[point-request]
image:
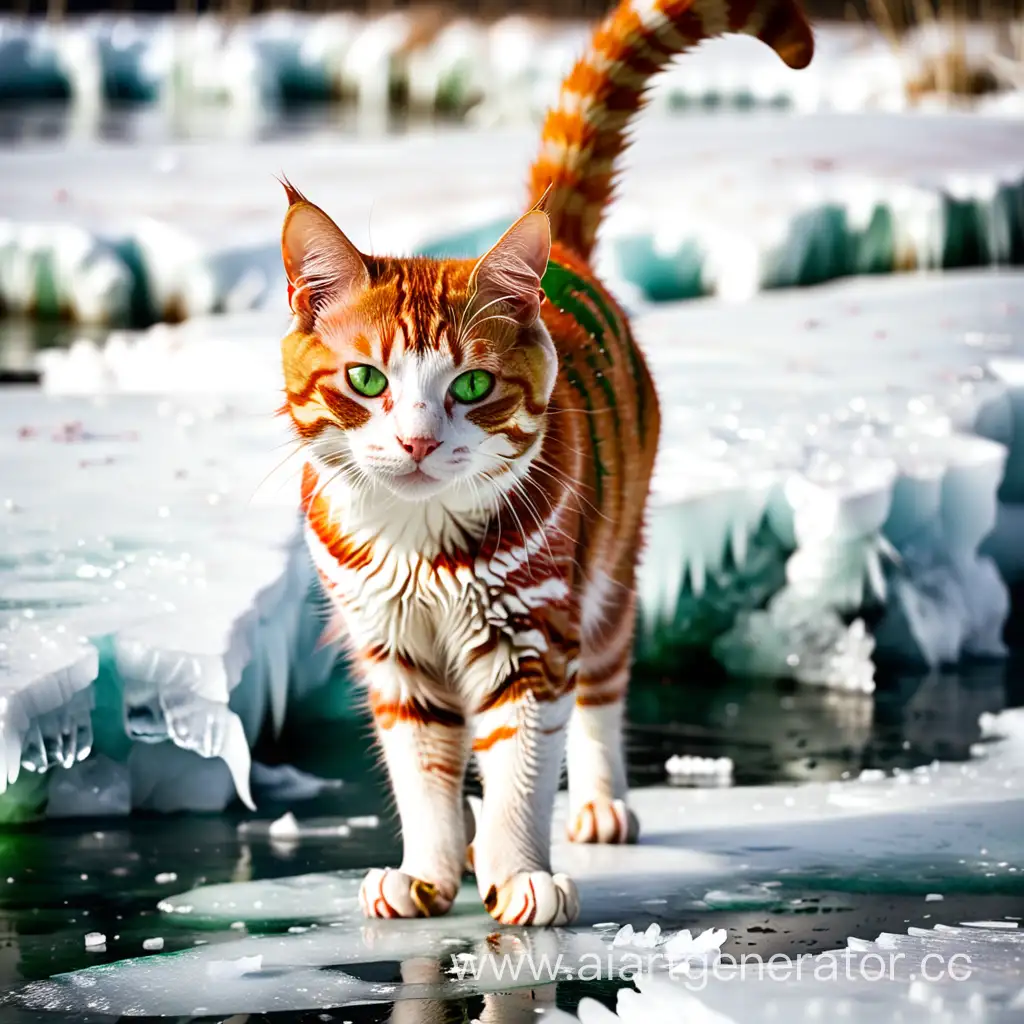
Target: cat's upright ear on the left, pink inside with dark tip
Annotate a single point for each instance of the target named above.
(323, 267)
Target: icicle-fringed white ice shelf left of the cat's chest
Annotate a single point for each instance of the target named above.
(151, 595)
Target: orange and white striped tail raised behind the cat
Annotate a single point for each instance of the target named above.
(586, 133)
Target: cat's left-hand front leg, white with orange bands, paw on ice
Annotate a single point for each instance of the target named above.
(425, 749)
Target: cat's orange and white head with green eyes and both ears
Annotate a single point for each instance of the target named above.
(415, 375)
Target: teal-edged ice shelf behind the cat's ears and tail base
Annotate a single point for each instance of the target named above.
(724, 205)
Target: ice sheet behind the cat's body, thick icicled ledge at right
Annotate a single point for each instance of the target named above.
(825, 452)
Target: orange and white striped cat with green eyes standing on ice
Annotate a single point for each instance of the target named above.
(480, 438)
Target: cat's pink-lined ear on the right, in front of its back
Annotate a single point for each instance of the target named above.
(509, 275)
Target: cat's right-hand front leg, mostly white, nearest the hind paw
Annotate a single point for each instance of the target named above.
(520, 742)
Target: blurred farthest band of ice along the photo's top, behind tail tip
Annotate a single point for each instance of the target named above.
(514, 66)
